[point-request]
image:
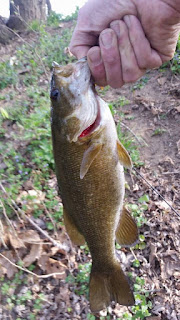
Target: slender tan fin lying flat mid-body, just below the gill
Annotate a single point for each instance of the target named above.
(89, 155)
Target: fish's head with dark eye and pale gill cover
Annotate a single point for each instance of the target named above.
(73, 98)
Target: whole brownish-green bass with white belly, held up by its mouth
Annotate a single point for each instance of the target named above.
(89, 164)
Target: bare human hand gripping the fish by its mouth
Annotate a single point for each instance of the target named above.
(123, 38)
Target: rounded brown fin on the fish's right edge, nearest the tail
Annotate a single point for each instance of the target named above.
(127, 231)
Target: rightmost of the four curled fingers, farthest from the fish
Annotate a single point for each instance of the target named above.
(147, 58)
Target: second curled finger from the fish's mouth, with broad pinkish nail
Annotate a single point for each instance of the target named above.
(111, 58)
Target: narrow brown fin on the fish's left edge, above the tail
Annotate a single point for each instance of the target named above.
(74, 234)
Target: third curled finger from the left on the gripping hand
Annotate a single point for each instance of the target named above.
(130, 69)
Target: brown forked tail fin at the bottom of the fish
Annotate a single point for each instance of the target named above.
(107, 287)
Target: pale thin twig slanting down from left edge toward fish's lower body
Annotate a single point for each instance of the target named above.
(55, 243)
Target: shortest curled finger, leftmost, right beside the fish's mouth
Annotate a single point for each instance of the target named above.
(96, 66)
